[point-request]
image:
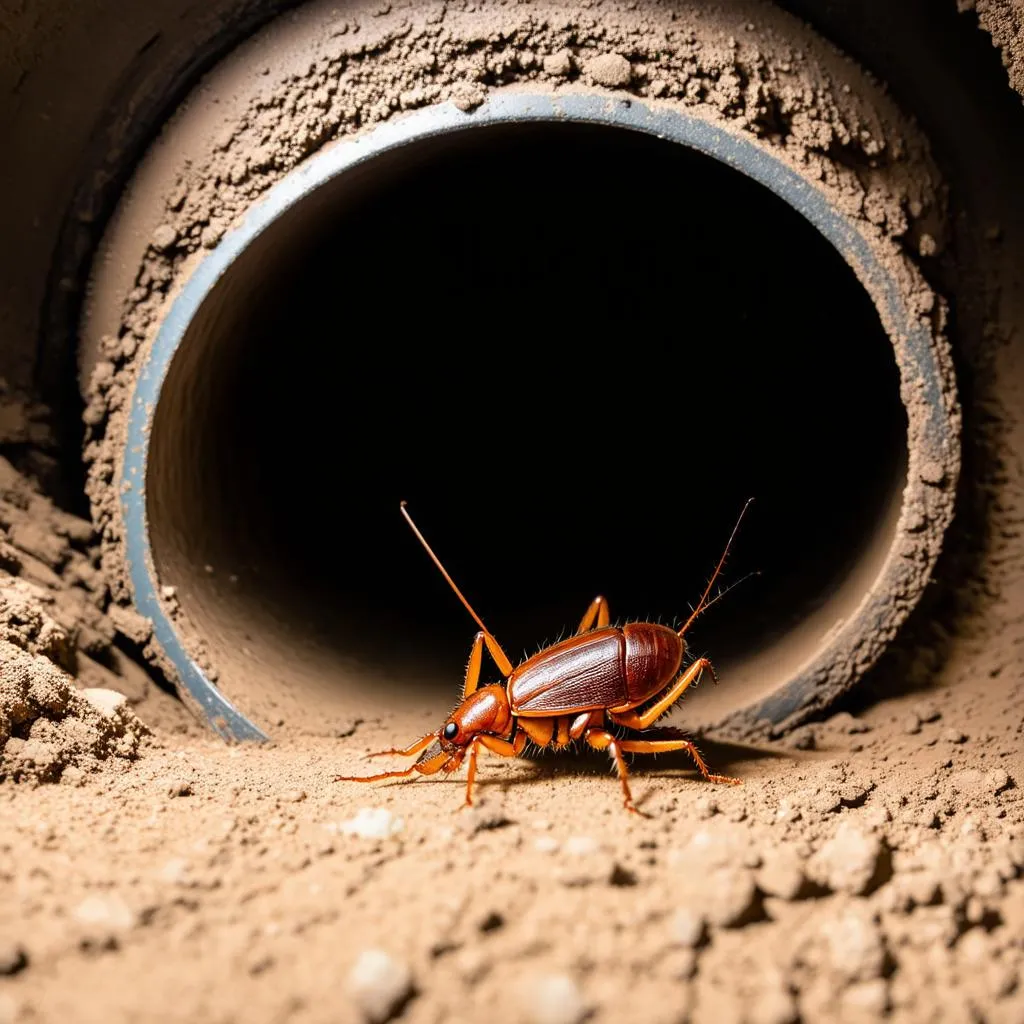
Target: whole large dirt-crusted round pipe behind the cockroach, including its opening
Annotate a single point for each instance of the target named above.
(576, 316)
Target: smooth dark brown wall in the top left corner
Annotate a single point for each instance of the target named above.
(62, 68)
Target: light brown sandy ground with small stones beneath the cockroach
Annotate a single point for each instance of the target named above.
(877, 871)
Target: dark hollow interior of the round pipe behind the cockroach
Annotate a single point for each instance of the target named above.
(576, 351)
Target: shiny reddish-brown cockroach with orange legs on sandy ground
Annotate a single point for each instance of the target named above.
(578, 690)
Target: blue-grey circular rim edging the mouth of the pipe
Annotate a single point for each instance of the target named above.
(935, 442)
